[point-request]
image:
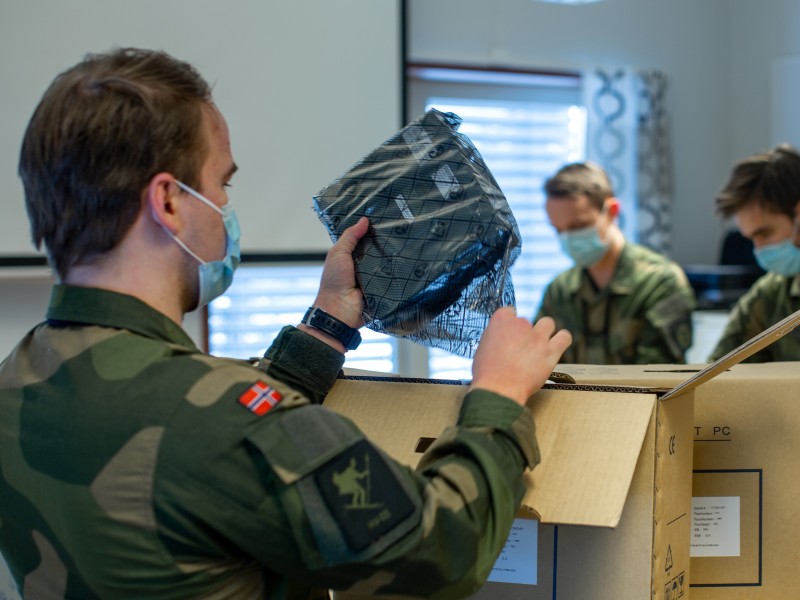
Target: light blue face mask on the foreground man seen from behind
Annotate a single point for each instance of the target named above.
(215, 276)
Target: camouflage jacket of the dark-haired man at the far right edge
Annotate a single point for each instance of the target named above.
(770, 299)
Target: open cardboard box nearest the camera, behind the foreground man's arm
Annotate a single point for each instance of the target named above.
(611, 497)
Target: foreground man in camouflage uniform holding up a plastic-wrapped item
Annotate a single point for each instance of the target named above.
(134, 466)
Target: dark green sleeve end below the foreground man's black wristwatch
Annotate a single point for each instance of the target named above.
(303, 362)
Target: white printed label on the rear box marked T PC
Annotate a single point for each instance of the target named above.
(716, 526)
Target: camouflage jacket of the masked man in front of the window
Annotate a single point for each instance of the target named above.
(642, 316)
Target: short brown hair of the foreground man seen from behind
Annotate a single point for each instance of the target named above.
(101, 131)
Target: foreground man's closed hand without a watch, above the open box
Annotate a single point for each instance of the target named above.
(514, 358)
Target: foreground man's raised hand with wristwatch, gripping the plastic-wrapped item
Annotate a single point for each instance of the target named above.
(338, 294)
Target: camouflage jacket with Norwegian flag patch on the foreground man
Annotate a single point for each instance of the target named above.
(132, 465)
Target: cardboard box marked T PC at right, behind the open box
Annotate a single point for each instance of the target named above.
(746, 444)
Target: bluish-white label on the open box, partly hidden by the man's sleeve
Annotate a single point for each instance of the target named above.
(518, 561)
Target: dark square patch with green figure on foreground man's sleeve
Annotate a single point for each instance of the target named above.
(363, 495)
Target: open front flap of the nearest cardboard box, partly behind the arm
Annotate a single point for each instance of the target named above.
(590, 440)
